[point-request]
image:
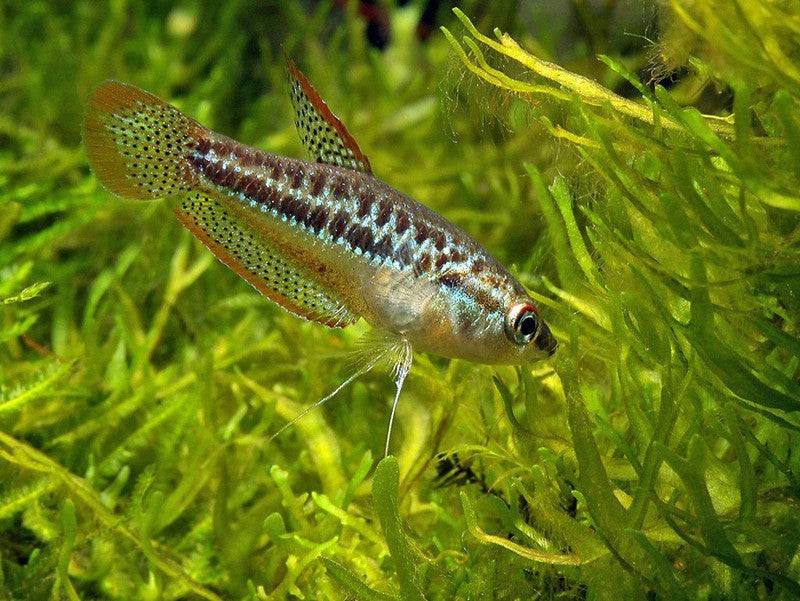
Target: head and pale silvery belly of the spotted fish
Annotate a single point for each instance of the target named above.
(478, 312)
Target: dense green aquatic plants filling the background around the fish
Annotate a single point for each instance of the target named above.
(644, 187)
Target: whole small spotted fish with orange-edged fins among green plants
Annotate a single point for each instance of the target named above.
(324, 239)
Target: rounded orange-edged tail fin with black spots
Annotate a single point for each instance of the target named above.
(138, 145)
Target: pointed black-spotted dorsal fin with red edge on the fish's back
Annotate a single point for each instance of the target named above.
(321, 132)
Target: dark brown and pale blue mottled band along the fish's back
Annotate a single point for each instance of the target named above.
(356, 210)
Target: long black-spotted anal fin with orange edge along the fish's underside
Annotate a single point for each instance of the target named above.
(238, 246)
